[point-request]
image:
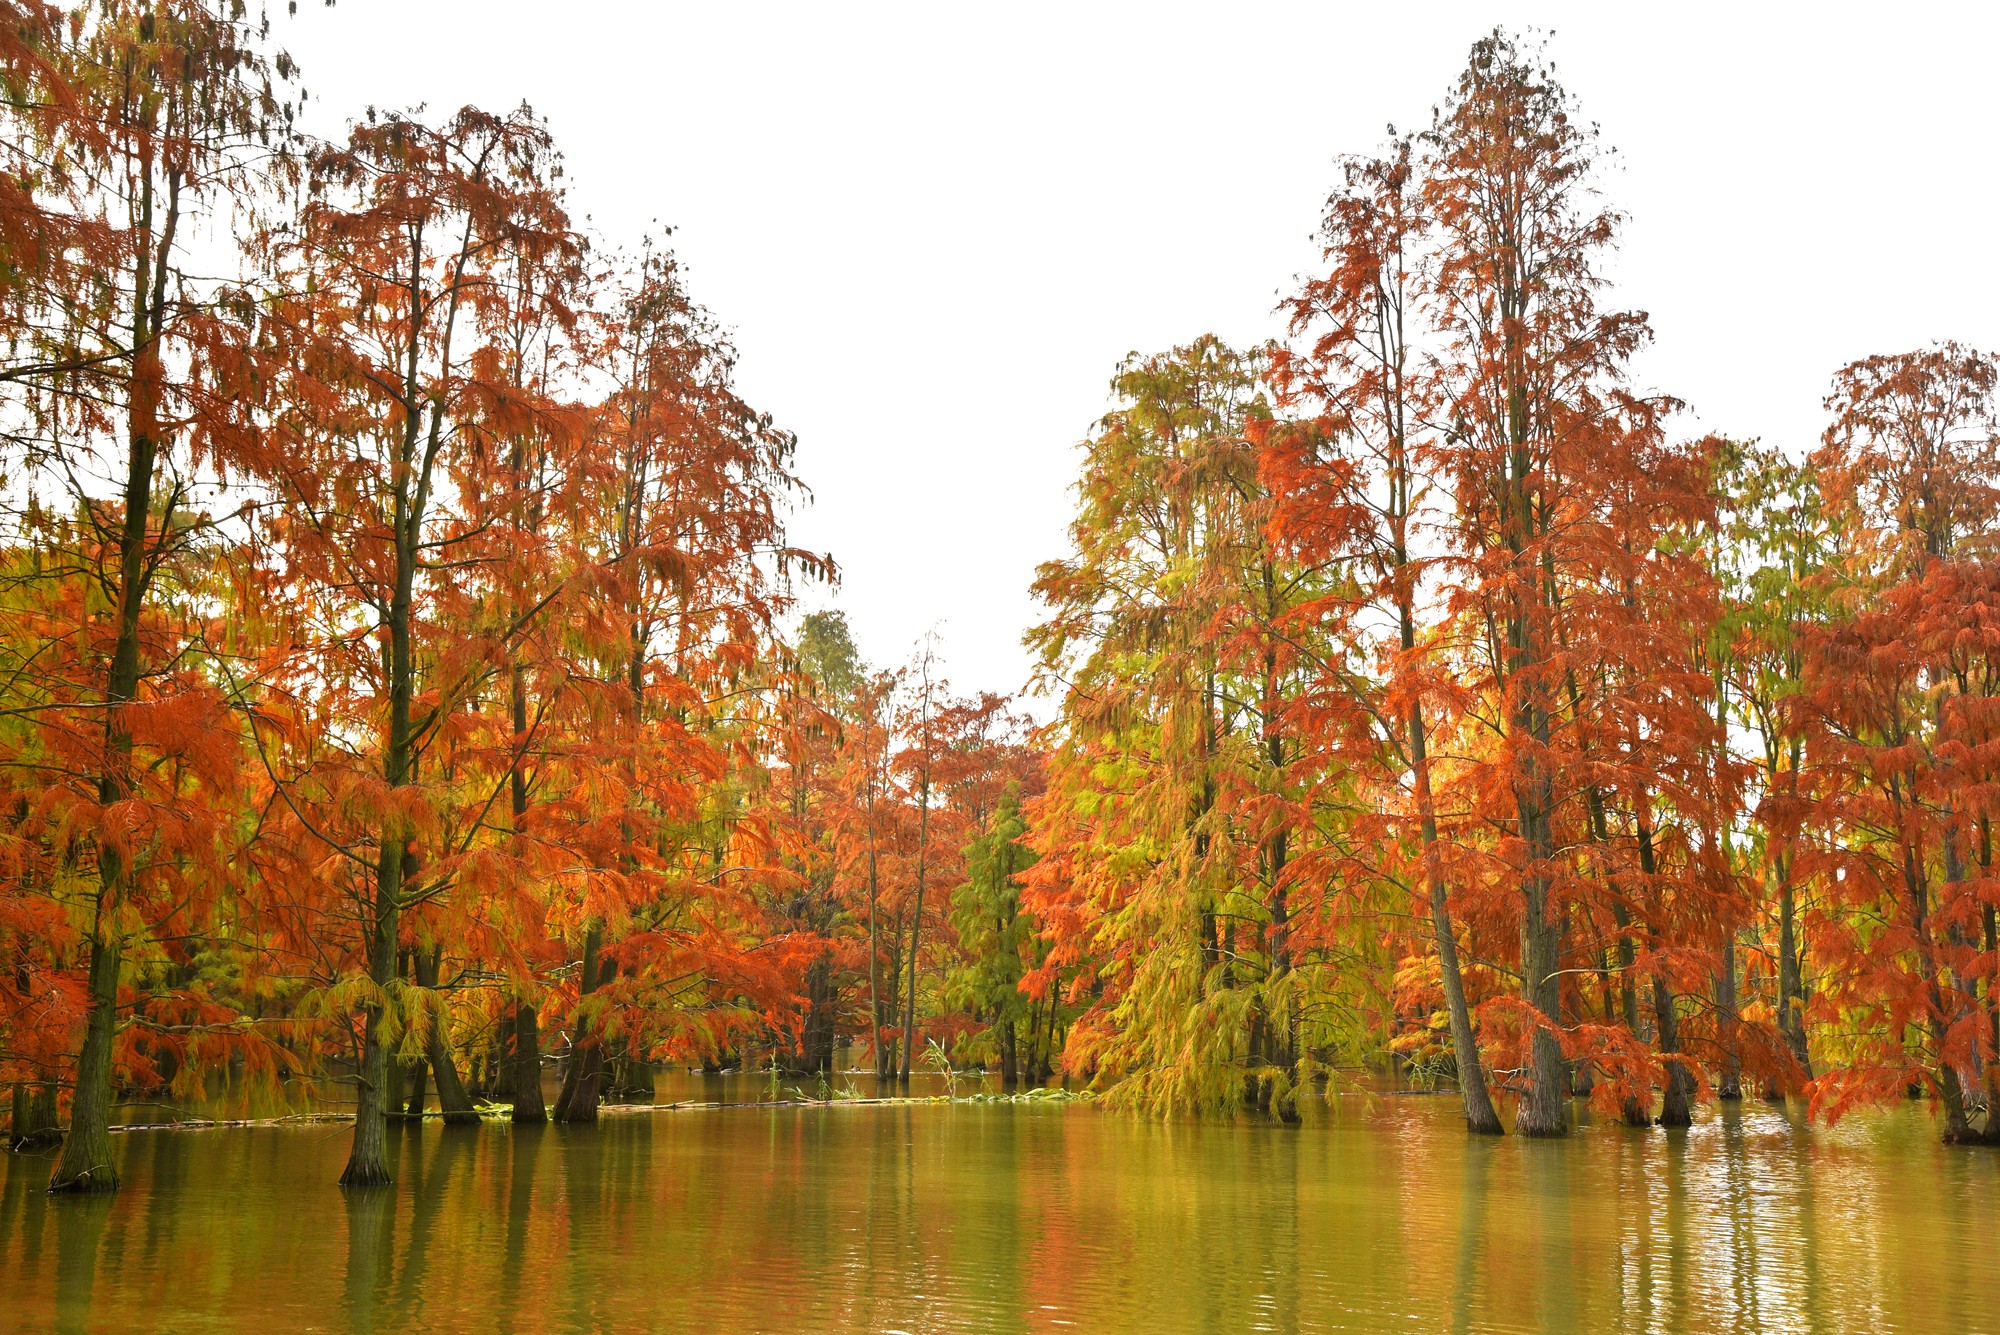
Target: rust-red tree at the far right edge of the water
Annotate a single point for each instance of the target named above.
(1893, 712)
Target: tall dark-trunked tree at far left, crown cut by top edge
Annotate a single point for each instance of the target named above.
(135, 125)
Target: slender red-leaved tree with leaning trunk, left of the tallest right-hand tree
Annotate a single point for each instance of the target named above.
(1355, 491)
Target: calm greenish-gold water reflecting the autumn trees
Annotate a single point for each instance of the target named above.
(1381, 1216)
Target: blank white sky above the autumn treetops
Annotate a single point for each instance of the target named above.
(937, 229)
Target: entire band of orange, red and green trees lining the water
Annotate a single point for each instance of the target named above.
(401, 686)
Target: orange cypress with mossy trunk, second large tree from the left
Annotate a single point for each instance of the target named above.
(391, 329)
